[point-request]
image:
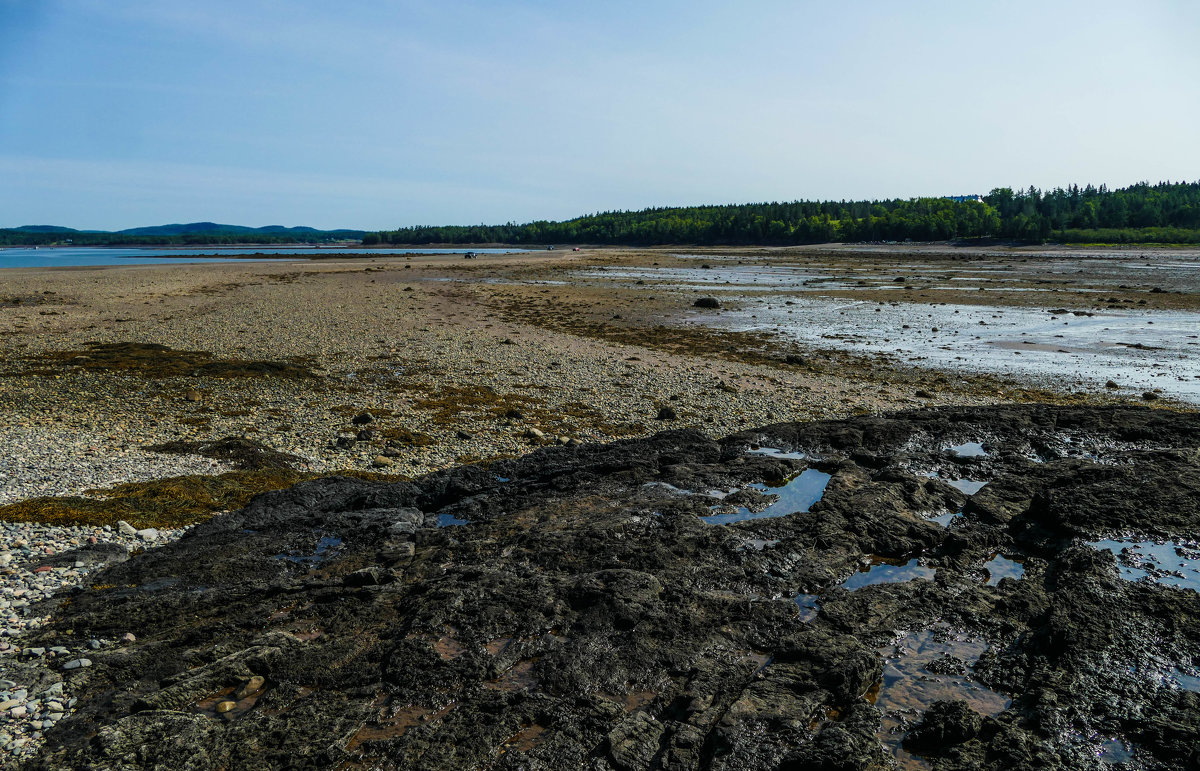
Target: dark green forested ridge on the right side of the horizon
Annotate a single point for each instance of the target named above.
(1162, 213)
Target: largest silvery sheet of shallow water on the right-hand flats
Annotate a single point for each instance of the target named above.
(1139, 350)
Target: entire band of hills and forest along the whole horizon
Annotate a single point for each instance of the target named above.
(1163, 213)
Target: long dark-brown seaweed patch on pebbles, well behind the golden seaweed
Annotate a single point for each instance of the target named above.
(148, 360)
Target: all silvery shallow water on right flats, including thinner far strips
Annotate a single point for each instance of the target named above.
(1138, 349)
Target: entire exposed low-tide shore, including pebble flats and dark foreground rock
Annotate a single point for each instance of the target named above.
(488, 584)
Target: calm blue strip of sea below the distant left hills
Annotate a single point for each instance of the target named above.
(86, 256)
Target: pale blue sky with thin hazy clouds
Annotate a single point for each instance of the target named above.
(385, 113)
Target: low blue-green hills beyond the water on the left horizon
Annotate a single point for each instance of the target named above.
(193, 234)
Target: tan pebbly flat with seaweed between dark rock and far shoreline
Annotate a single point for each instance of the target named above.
(460, 360)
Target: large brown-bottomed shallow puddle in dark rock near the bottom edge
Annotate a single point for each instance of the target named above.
(920, 670)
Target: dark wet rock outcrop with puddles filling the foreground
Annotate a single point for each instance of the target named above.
(800, 596)
